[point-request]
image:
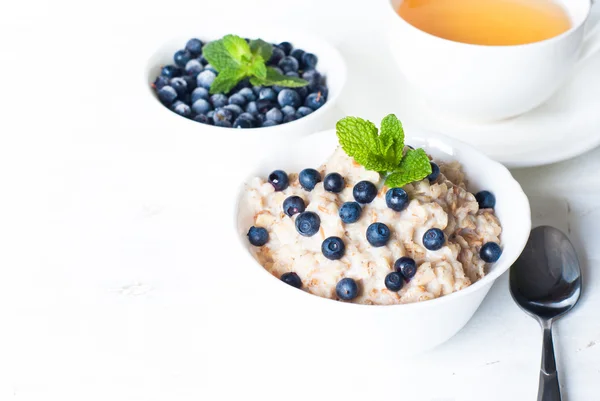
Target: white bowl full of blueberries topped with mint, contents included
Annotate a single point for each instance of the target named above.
(249, 84)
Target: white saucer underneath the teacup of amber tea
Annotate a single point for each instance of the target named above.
(566, 126)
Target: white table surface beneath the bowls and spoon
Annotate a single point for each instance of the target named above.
(111, 284)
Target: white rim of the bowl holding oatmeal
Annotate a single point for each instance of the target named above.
(499, 268)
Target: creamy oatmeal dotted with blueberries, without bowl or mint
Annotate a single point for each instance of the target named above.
(440, 229)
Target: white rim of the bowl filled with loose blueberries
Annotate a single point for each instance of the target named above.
(332, 53)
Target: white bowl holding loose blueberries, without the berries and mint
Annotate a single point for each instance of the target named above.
(330, 64)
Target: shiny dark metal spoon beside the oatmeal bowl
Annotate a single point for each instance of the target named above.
(546, 283)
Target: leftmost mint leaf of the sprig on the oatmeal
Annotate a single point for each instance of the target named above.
(360, 140)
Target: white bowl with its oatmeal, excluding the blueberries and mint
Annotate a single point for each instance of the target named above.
(449, 284)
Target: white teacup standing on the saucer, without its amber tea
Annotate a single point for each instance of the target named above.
(489, 83)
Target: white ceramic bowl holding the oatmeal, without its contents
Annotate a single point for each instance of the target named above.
(408, 328)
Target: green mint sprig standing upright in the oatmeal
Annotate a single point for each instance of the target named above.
(383, 151)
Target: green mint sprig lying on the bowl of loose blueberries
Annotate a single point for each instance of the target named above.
(235, 59)
